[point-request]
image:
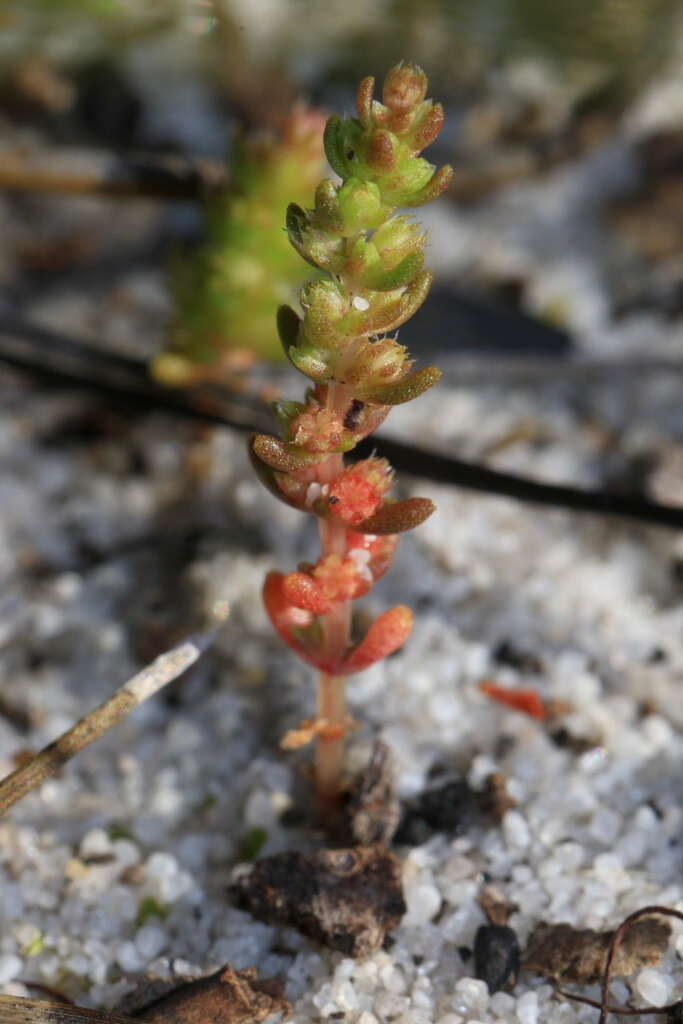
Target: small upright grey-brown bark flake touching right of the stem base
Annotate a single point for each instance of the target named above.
(374, 810)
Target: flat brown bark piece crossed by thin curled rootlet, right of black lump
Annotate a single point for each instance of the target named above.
(566, 954)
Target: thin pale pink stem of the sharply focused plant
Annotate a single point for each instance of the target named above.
(336, 629)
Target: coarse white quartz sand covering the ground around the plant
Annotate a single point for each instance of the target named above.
(121, 865)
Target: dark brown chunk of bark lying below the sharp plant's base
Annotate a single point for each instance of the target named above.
(348, 900)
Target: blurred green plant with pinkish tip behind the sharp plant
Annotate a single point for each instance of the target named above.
(226, 294)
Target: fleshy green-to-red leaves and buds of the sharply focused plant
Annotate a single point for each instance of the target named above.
(370, 260)
